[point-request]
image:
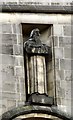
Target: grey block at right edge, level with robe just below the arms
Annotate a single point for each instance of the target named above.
(66, 64)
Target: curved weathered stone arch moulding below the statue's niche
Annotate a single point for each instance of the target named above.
(28, 109)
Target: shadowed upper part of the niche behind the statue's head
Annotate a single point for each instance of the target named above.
(45, 31)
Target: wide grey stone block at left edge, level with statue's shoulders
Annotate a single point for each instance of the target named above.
(8, 38)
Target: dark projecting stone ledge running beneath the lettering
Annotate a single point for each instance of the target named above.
(36, 8)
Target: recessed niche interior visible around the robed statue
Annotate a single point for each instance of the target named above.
(45, 35)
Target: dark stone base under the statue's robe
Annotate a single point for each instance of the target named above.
(40, 99)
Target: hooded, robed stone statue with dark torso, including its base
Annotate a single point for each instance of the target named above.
(35, 55)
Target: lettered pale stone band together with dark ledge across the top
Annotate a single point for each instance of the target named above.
(48, 6)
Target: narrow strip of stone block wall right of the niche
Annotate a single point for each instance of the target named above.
(63, 62)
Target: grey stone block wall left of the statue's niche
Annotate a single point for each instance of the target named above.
(12, 66)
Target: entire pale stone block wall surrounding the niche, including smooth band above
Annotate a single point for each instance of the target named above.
(12, 87)
